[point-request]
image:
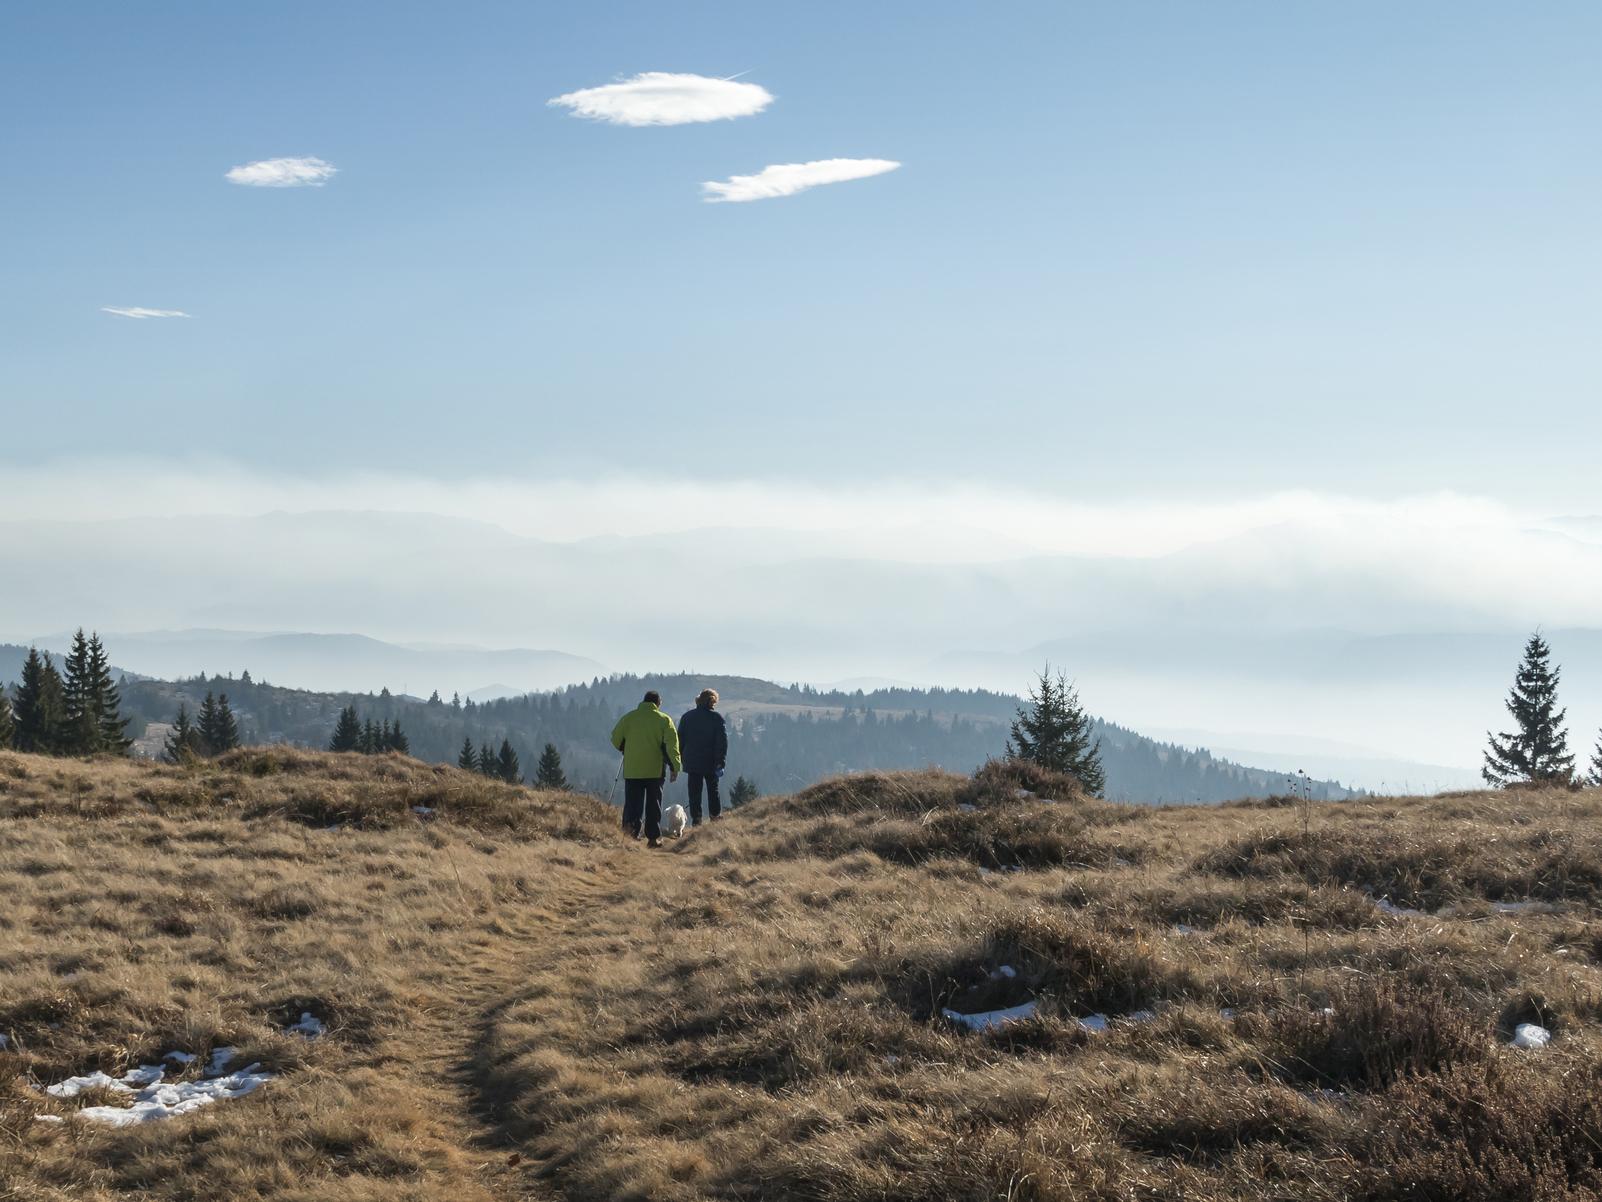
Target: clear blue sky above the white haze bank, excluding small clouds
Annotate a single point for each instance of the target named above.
(1133, 251)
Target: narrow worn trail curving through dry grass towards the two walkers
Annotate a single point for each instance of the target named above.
(441, 1047)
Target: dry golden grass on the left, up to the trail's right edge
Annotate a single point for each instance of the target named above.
(153, 910)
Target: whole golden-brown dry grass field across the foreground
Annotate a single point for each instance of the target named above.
(521, 1006)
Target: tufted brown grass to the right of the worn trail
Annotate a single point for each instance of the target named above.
(762, 1017)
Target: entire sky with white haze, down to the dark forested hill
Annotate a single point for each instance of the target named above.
(1238, 357)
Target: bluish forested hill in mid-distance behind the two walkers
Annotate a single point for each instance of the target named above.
(781, 738)
